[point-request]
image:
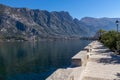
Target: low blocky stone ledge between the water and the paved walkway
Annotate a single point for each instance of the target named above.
(78, 64)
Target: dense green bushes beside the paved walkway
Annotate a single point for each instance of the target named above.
(110, 39)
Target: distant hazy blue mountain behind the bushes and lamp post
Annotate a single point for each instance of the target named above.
(95, 24)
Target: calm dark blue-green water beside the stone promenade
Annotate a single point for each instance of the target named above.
(36, 61)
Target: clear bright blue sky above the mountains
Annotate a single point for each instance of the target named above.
(77, 8)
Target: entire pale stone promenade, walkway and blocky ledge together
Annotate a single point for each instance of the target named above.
(99, 64)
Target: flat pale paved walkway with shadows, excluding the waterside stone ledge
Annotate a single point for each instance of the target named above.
(102, 64)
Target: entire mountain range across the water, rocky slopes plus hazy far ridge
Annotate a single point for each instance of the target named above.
(29, 24)
